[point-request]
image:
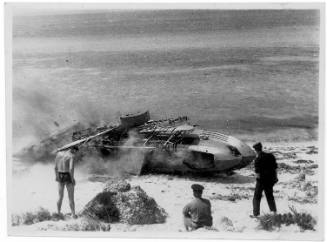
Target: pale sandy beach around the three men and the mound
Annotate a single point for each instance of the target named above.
(230, 196)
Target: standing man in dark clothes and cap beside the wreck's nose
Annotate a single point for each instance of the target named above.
(266, 176)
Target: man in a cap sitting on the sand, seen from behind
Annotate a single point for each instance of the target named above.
(197, 213)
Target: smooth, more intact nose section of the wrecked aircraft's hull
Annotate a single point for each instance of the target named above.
(209, 156)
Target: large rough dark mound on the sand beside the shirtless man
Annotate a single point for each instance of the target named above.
(119, 202)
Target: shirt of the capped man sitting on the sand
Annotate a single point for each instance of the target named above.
(199, 210)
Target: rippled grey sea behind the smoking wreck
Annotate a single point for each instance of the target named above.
(253, 74)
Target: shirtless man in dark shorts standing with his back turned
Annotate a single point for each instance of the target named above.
(64, 169)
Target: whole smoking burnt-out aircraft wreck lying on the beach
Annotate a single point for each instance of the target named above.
(169, 146)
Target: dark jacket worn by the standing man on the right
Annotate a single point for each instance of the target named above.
(265, 164)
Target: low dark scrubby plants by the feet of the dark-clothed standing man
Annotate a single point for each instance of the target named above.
(271, 221)
